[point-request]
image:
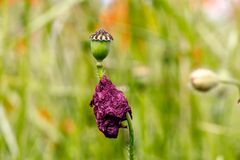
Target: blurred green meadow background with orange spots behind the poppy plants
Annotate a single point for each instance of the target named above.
(48, 76)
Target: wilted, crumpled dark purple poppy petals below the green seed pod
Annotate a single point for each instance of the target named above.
(110, 107)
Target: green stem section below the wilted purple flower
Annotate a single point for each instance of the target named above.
(131, 135)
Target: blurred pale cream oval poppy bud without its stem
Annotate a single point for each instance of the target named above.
(203, 79)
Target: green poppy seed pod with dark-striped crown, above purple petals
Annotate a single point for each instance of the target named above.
(100, 44)
